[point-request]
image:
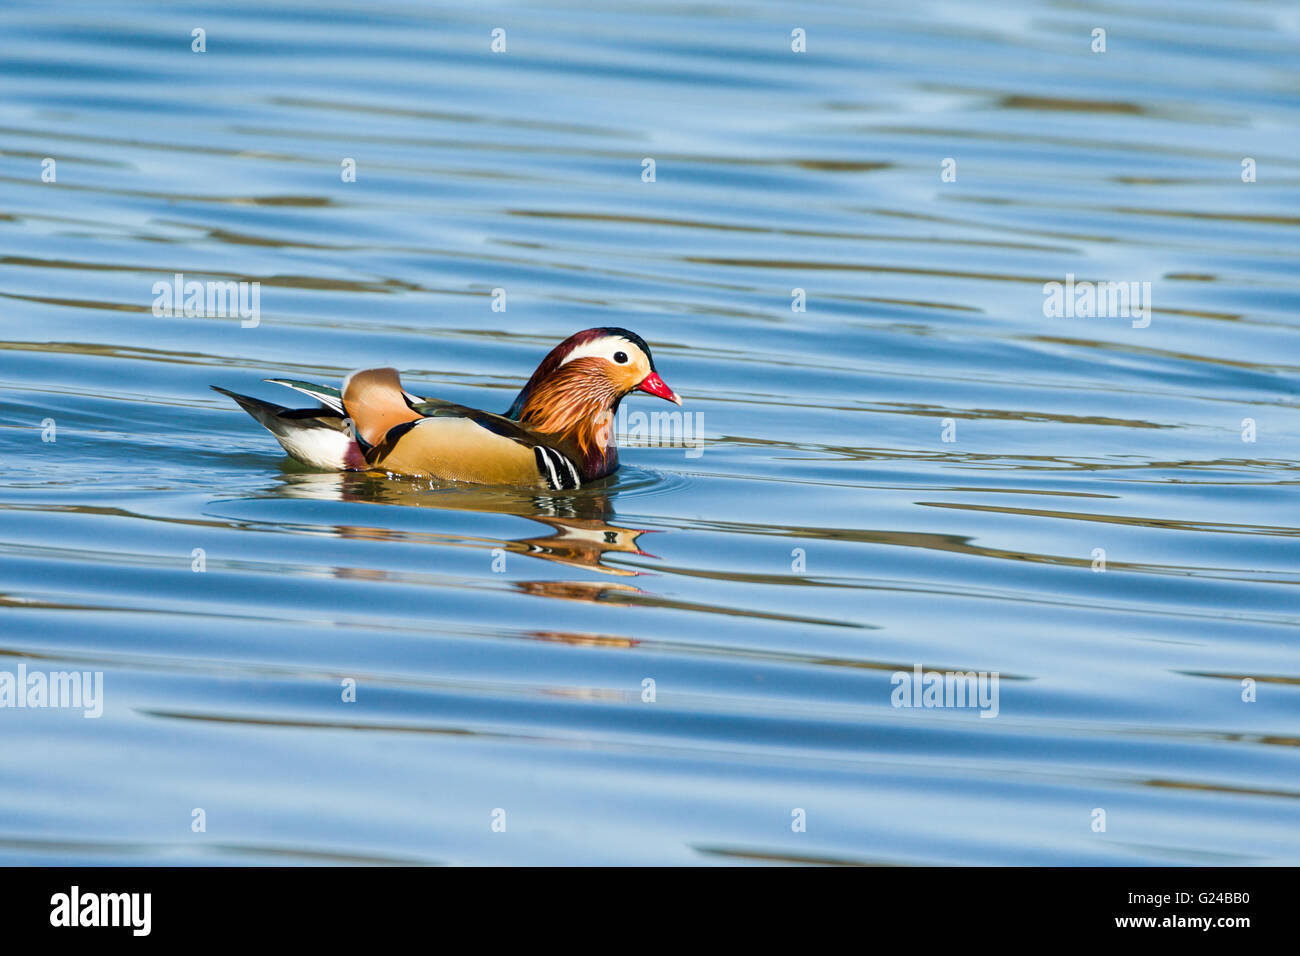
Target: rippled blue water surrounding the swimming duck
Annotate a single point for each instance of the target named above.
(521, 689)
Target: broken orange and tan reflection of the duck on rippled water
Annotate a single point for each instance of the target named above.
(579, 531)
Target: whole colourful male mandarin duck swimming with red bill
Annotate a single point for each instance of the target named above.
(558, 434)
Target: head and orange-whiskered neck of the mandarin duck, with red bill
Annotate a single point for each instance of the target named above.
(579, 386)
